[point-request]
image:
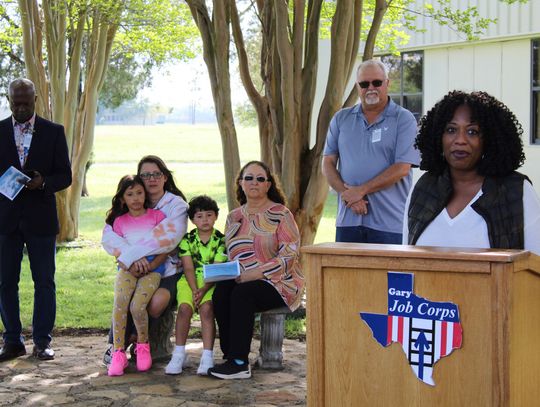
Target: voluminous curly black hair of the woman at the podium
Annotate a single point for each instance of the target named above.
(501, 133)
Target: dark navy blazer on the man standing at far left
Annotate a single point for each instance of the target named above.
(35, 211)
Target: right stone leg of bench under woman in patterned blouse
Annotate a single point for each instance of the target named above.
(272, 325)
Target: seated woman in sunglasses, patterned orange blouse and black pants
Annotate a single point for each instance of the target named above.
(262, 235)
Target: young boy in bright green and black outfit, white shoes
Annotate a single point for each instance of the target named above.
(203, 245)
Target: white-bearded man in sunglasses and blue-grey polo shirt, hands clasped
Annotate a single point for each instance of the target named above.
(367, 160)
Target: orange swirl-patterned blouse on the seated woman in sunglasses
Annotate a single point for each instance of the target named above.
(268, 241)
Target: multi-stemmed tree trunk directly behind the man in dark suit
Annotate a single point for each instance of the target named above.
(73, 108)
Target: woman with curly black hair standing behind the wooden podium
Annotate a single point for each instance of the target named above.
(471, 194)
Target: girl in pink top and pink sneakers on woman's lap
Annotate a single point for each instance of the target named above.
(131, 219)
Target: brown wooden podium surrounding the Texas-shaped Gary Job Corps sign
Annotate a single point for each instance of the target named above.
(498, 296)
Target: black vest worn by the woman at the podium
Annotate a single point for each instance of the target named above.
(501, 206)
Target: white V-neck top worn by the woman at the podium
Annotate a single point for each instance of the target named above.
(469, 229)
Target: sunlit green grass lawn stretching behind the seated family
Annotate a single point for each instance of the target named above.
(85, 273)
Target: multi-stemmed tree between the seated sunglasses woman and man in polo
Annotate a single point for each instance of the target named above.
(287, 61)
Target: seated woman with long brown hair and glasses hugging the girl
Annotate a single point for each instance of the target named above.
(165, 196)
